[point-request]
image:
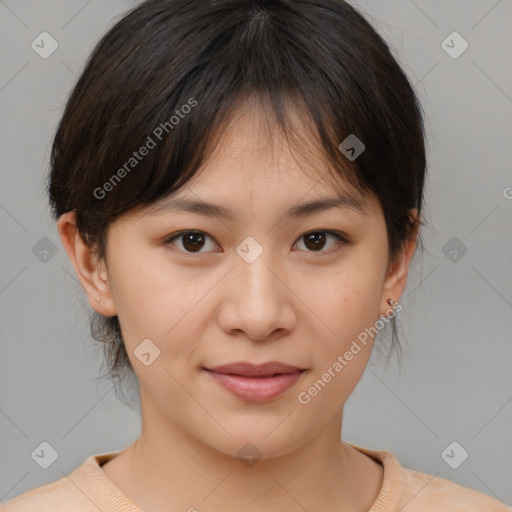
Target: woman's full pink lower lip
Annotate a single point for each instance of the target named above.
(256, 389)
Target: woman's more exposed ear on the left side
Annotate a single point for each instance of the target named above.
(91, 272)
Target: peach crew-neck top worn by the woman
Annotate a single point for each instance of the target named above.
(88, 489)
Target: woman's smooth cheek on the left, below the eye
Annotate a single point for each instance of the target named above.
(166, 304)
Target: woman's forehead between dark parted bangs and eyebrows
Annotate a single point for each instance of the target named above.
(254, 161)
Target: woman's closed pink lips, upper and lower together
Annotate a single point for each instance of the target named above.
(256, 383)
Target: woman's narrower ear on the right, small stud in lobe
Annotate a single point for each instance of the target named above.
(396, 278)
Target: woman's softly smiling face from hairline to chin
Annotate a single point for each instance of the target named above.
(256, 286)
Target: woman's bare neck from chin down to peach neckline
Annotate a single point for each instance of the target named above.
(167, 468)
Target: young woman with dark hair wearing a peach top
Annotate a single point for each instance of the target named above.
(239, 187)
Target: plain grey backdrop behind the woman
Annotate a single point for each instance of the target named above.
(455, 383)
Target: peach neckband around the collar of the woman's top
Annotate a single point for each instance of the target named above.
(104, 488)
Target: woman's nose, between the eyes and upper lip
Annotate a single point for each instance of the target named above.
(258, 300)
